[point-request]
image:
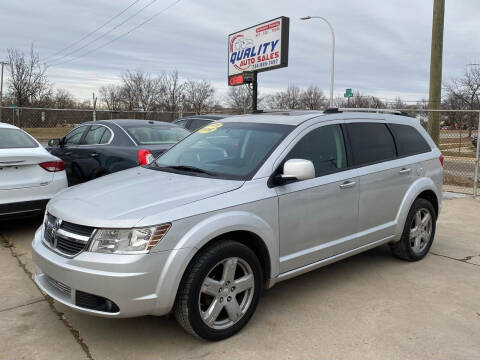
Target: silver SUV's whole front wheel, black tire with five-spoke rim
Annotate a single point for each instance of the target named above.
(206, 303)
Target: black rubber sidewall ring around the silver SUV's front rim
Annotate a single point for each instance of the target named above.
(208, 261)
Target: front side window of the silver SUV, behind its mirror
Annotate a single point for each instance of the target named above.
(324, 147)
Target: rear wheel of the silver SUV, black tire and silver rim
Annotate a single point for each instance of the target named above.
(415, 244)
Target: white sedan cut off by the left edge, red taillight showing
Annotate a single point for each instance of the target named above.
(29, 174)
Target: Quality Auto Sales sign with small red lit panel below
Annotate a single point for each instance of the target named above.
(259, 48)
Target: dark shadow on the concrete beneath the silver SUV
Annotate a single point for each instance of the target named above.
(276, 306)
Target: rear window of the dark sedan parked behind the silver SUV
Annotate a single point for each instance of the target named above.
(155, 134)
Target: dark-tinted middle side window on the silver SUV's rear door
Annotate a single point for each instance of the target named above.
(371, 143)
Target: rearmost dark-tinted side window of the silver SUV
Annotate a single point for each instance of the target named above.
(409, 140)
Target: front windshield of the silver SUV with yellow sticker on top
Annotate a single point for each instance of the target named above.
(225, 150)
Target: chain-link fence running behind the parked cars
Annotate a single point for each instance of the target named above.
(458, 132)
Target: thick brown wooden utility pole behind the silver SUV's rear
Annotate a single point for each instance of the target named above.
(436, 69)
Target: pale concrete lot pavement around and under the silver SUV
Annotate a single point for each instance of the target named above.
(370, 306)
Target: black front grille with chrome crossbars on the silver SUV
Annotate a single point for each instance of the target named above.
(64, 237)
